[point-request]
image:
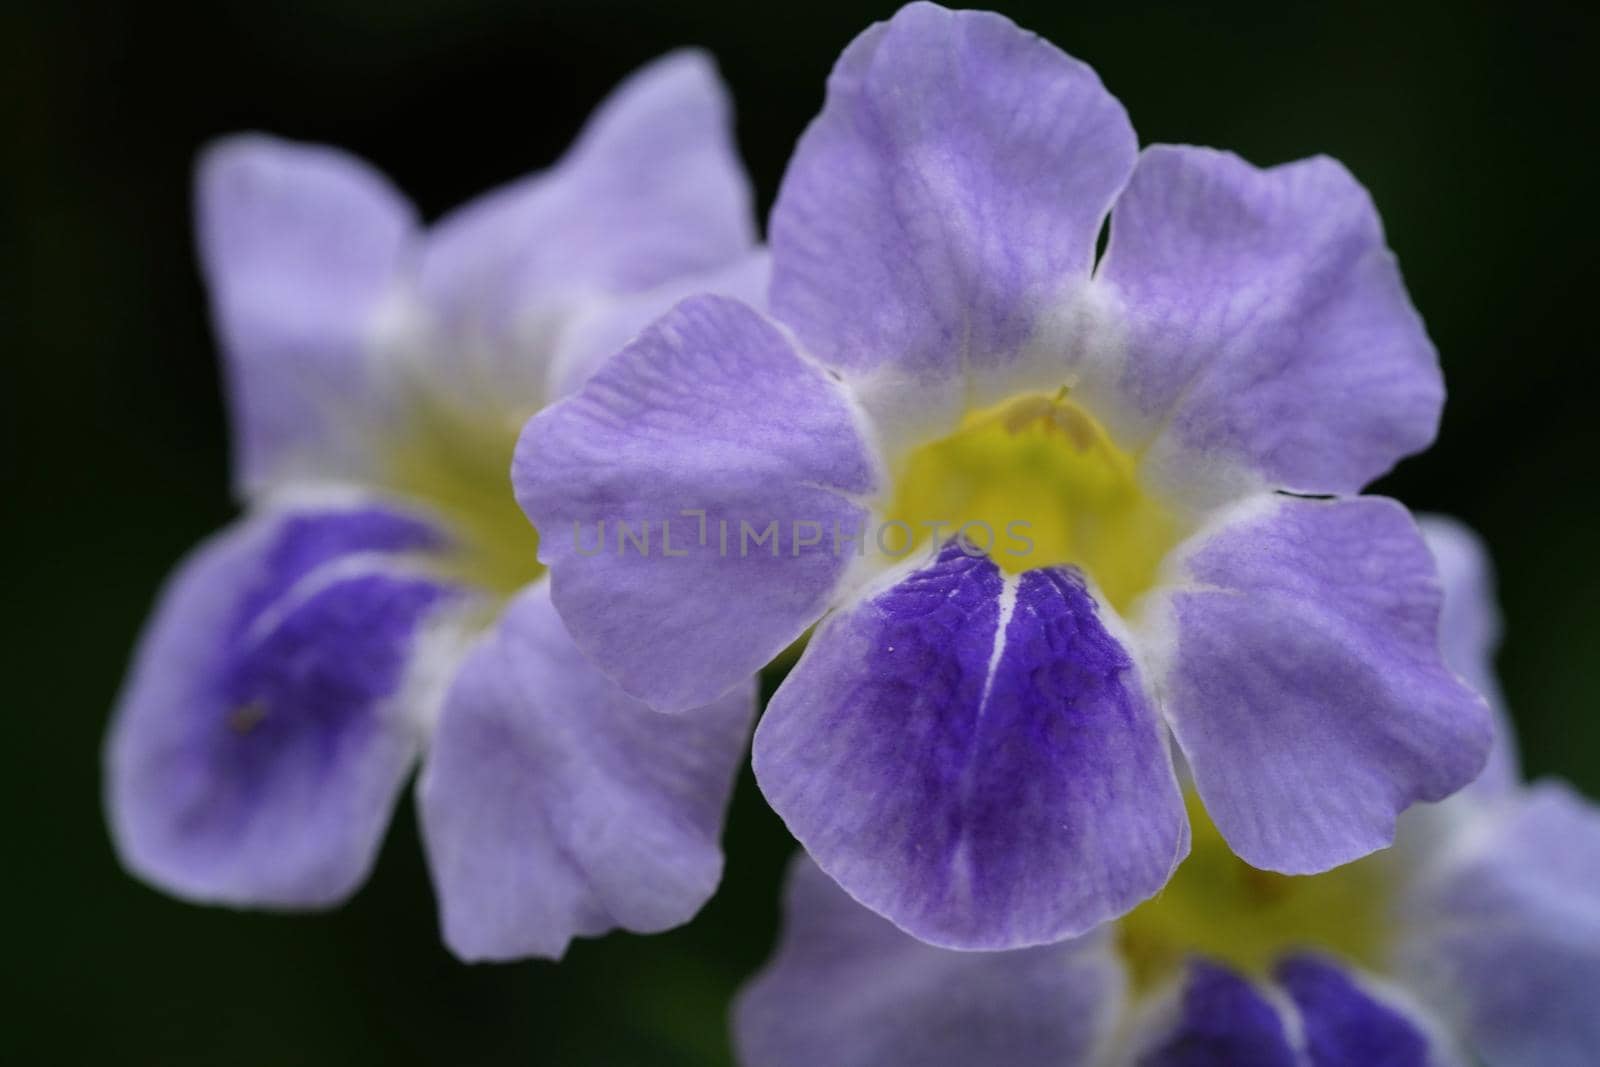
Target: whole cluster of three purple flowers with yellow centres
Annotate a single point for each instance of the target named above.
(1121, 799)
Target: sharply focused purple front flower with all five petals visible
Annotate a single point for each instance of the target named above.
(1151, 462)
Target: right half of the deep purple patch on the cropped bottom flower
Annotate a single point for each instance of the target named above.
(1346, 1026)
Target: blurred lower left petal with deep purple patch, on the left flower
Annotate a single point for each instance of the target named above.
(270, 719)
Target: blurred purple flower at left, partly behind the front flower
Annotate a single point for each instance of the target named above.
(382, 599)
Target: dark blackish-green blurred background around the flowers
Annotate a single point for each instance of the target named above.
(1470, 122)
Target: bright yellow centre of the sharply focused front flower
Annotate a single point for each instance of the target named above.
(1038, 482)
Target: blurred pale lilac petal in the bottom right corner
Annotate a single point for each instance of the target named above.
(1505, 937)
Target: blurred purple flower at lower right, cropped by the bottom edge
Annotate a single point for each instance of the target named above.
(1476, 940)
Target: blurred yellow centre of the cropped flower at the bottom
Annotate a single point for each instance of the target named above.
(1222, 908)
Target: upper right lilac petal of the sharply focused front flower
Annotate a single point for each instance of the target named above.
(1266, 326)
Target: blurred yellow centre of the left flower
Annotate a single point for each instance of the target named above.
(460, 466)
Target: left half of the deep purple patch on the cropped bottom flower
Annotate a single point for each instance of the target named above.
(1217, 1020)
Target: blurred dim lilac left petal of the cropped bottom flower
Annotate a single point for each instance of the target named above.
(847, 989)
